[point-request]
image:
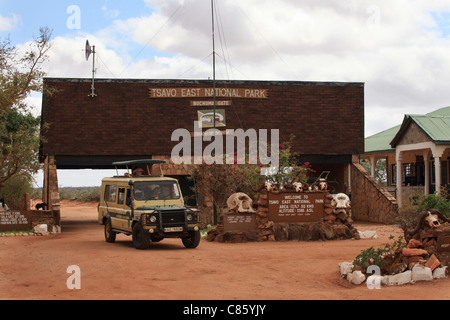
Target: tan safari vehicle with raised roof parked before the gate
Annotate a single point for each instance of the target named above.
(149, 208)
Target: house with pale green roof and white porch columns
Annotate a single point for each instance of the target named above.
(416, 153)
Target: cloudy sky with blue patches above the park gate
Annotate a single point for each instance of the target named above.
(400, 49)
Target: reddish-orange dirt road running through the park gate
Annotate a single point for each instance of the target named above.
(36, 267)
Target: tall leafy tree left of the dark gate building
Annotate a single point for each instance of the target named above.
(20, 75)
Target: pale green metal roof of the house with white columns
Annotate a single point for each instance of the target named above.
(435, 124)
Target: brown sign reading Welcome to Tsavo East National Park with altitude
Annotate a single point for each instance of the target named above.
(296, 207)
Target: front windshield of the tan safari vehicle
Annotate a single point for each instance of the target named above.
(156, 190)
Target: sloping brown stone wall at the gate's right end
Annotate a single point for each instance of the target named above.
(370, 201)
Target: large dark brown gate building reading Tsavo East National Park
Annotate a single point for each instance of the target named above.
(131, 119)
